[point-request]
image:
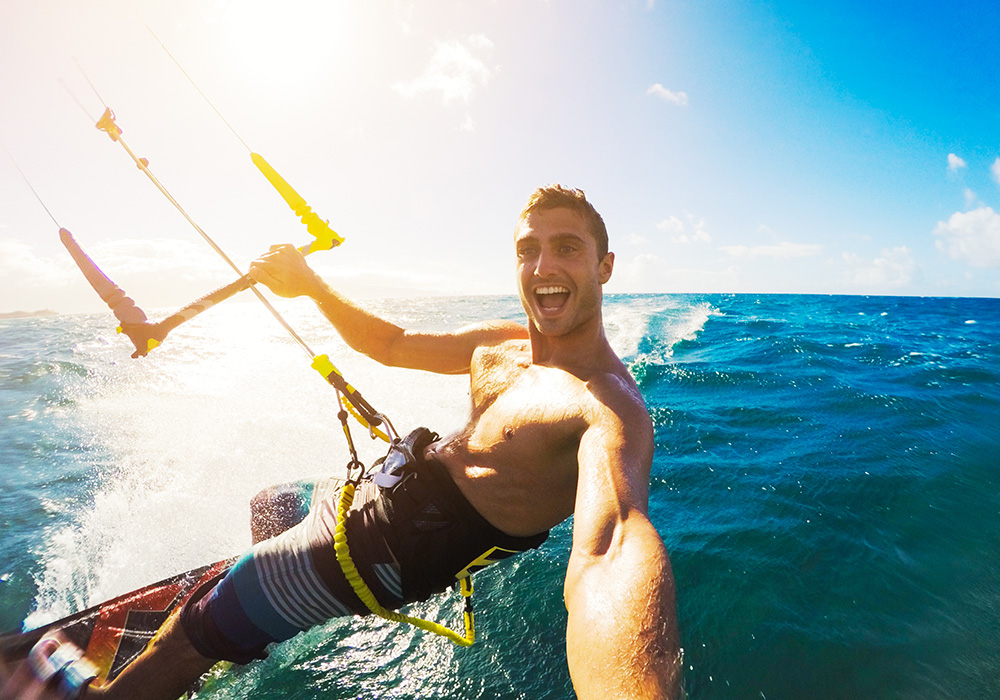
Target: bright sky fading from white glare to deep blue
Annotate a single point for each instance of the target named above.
(844, 147)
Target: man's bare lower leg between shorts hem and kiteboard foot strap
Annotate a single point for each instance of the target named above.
(165, 671)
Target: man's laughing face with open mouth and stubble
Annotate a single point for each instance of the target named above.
(558, 270)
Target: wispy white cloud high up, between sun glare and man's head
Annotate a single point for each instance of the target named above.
(456, 69)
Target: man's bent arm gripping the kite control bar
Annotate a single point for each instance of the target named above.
(285, 272)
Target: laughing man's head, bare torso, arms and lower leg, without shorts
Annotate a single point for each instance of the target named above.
(558, 427)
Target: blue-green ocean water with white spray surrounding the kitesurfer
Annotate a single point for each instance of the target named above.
(826, 478)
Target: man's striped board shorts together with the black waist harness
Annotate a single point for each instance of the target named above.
(408, 543)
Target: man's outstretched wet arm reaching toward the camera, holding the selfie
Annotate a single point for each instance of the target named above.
(621, 637)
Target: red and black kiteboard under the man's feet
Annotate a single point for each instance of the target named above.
(114, 633)
